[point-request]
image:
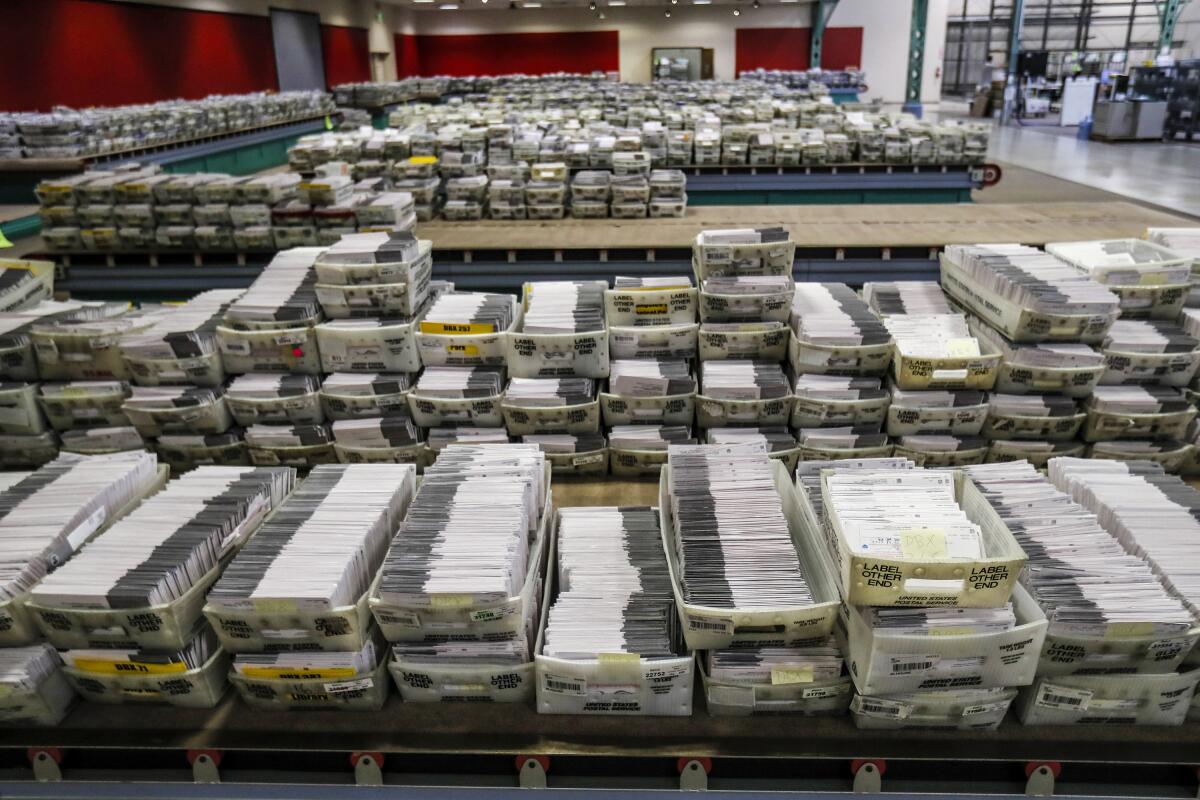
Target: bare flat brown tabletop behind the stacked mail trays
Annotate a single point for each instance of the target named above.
(819, 226)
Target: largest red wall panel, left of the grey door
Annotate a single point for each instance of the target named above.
(94, 53)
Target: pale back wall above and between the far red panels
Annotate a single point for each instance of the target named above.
(885, 25)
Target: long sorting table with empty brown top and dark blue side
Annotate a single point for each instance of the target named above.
(889, 242)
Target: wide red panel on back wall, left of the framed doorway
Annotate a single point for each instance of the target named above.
(497, 55)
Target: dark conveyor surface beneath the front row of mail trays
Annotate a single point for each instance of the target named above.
(501, 730)
